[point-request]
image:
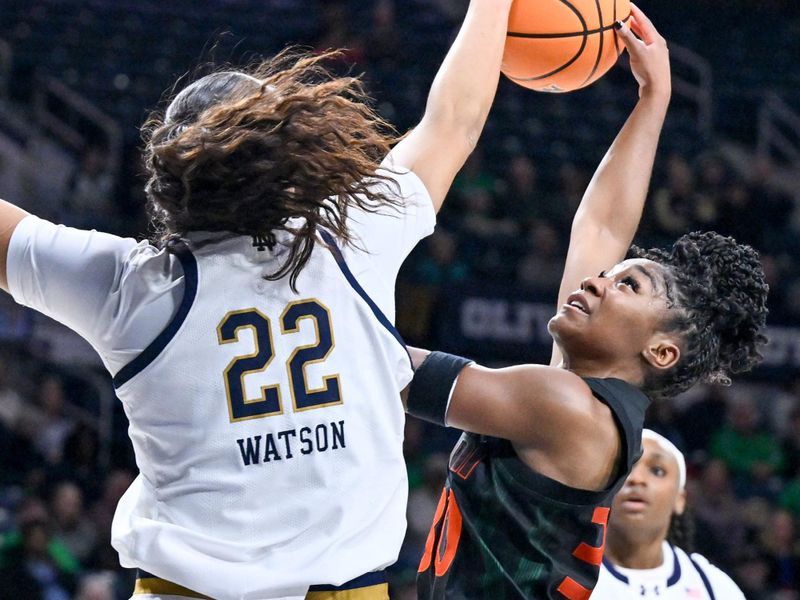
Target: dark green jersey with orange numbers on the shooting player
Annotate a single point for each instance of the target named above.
(501, 530)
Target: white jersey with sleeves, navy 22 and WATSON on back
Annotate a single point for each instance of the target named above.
(267, 424)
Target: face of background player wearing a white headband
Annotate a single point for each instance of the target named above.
(650, 495)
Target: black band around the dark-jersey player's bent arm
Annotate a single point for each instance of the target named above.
(429, 391)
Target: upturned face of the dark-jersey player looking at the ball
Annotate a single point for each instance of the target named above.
(615, 315)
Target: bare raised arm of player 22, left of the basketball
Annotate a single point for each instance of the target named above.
(458, 102)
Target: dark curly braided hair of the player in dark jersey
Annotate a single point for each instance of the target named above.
(717, 295)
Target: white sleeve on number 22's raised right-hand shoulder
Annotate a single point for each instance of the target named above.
(390, 234)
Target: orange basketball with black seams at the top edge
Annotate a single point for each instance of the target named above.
(562, 45)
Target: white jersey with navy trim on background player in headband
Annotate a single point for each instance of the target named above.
(680, 577)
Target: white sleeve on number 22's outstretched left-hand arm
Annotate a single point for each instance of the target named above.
(68, 274)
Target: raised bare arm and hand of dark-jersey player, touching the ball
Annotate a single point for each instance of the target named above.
(609, 213)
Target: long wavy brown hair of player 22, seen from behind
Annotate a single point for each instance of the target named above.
(245, 151)
